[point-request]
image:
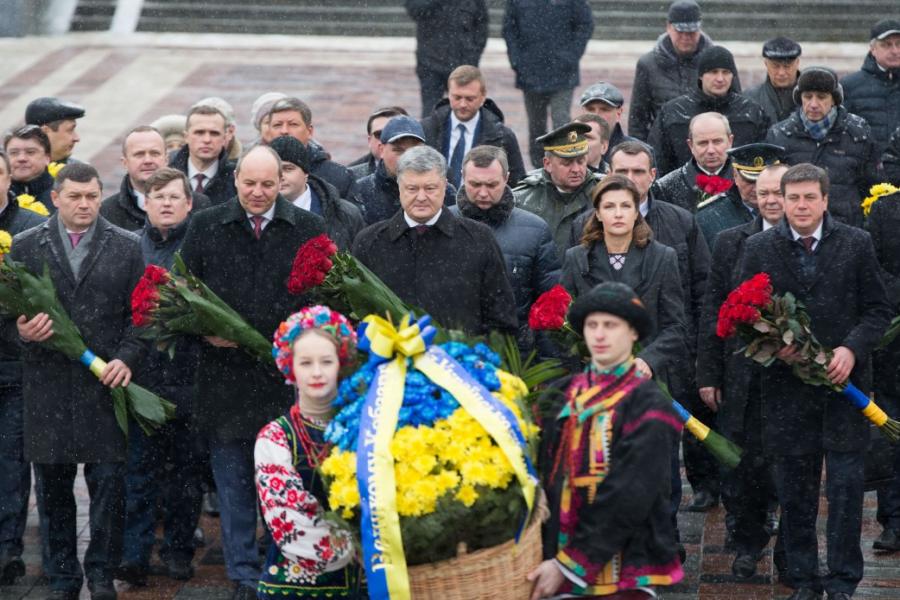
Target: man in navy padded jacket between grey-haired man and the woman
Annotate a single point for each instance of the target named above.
(532, 263)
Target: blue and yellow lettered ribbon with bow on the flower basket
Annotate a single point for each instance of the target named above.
(390, 346)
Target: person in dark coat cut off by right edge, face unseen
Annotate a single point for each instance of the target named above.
(883, 224)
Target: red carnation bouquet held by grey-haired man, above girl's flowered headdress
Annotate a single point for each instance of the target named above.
(342, 282)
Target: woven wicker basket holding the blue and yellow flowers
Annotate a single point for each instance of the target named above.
(497, 572)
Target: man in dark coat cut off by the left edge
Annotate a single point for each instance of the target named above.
(15, 472)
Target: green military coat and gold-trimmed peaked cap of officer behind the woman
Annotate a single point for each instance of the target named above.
(538, 194)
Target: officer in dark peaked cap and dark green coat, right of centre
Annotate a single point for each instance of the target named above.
(738, 205)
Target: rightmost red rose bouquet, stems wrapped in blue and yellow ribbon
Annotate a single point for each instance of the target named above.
(769, 322)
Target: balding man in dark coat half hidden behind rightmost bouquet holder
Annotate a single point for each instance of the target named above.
(729, 386)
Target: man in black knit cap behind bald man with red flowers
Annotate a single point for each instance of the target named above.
(715, 92)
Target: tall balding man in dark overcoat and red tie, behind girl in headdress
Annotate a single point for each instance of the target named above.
(243, 250)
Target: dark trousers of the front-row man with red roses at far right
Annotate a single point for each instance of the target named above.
(797, 479)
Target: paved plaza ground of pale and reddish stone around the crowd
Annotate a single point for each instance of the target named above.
(129, 81)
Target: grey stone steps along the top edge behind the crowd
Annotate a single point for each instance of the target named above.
(750, 20)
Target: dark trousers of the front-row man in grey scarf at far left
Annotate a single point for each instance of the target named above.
(106, 486)
